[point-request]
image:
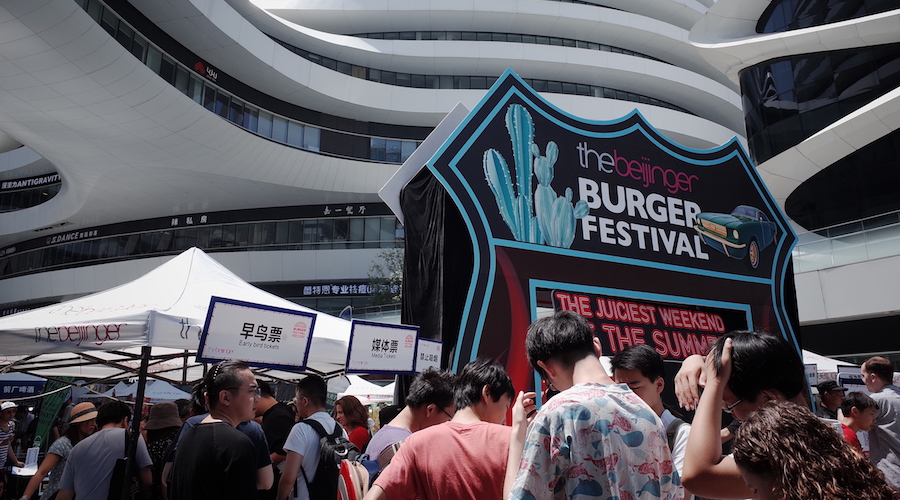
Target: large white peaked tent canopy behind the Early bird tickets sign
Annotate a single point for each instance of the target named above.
(99, 336)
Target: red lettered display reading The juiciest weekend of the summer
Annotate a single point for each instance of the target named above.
(674, 330)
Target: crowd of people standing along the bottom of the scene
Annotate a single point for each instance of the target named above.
(603, 435)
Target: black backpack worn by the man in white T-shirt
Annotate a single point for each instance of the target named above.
(334, 448)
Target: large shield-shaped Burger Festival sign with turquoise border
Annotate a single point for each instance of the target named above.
(524, 199)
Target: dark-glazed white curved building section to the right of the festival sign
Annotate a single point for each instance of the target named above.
(820, 82)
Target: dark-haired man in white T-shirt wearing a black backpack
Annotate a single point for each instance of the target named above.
(299, 479)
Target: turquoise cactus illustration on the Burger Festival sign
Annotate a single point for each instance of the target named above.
(554, 223)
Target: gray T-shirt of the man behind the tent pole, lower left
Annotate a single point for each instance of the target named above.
(90, 463)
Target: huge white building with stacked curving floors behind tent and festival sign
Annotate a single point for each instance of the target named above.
(262, 131)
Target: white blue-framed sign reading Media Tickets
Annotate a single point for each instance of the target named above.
(382, 348)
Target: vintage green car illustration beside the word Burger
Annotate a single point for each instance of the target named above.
(745, 232)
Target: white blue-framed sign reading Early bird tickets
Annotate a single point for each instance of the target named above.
(259, 334)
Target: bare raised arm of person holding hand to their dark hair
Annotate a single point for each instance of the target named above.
(706, 472)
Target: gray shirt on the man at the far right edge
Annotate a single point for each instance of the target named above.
(884, 439)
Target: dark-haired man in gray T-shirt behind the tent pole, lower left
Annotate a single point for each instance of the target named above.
(90, 464)
